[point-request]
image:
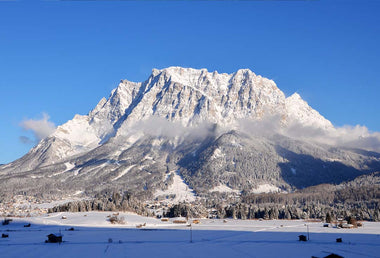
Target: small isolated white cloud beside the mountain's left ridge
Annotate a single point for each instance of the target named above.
(41, 128)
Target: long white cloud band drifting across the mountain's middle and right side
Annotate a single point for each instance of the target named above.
(347, 136)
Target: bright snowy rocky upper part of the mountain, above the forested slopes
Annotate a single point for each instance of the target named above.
(186, 96)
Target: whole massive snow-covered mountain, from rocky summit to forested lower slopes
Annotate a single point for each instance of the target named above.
(188, 128)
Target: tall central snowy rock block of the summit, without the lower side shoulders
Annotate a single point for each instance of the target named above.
(192, 97)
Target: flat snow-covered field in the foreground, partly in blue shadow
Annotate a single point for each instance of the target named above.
(210, 238)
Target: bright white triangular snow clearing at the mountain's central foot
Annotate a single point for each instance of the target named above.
(178, 188)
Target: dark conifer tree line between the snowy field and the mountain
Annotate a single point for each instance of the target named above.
(319, 202)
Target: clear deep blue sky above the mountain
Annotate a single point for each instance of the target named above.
(61, 57)
